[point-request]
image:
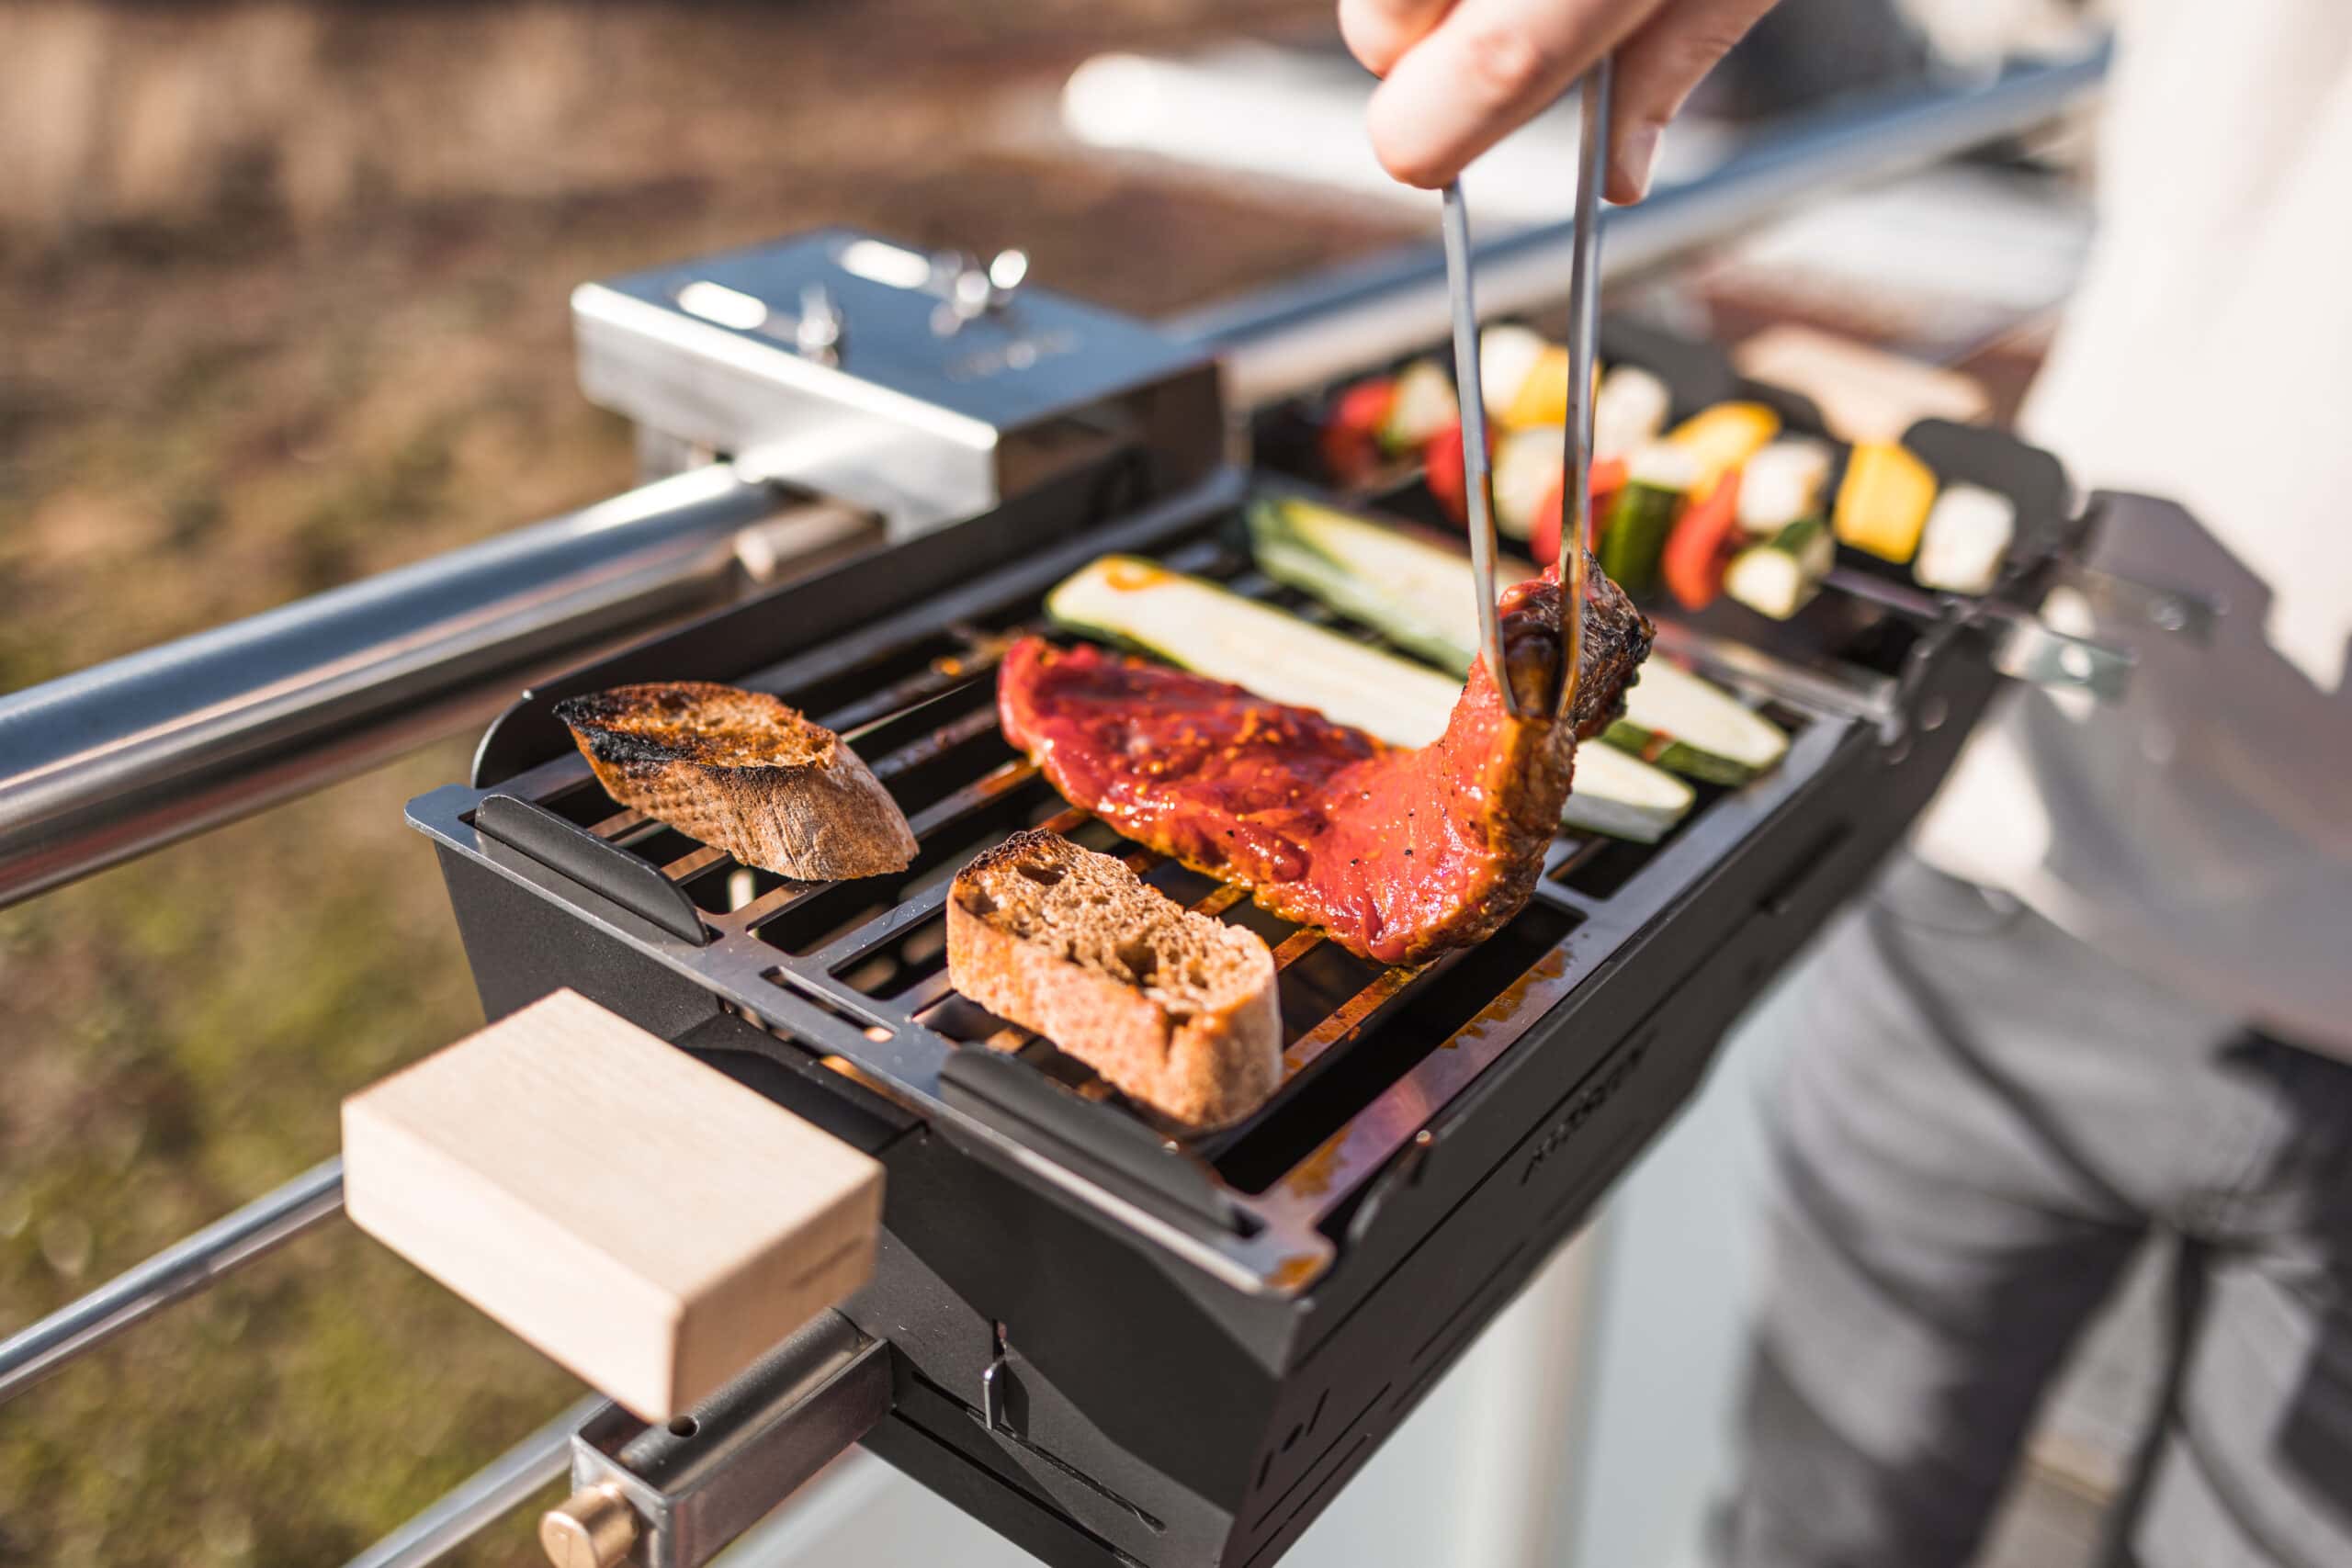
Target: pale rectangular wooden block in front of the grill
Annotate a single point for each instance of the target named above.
(629, 1212)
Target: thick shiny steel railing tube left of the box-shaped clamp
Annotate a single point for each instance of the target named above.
(138, 753)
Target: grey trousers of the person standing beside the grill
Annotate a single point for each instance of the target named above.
(1977, 1134)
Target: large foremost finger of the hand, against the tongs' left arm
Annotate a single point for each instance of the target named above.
(1483, 72)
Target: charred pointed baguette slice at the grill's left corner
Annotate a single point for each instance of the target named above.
(747, 775)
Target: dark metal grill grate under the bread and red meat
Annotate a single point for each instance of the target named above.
(860, 970)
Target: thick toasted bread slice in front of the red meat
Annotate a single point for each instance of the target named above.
(1175, 1010)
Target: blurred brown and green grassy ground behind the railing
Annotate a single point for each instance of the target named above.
(283, 302)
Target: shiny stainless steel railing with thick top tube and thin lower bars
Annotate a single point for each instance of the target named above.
(131, 756)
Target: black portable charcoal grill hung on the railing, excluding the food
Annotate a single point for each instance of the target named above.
(1109, 1341)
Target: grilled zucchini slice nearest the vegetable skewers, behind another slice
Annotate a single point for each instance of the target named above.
(1419, 596)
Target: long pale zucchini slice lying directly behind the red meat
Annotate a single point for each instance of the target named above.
(1208, 629)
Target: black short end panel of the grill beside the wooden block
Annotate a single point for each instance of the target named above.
(1137, 1391)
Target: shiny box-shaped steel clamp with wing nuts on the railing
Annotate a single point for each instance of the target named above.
(926, 389)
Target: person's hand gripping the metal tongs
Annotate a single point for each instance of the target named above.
(1464, 74)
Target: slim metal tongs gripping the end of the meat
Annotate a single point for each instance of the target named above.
(1584, 326)
